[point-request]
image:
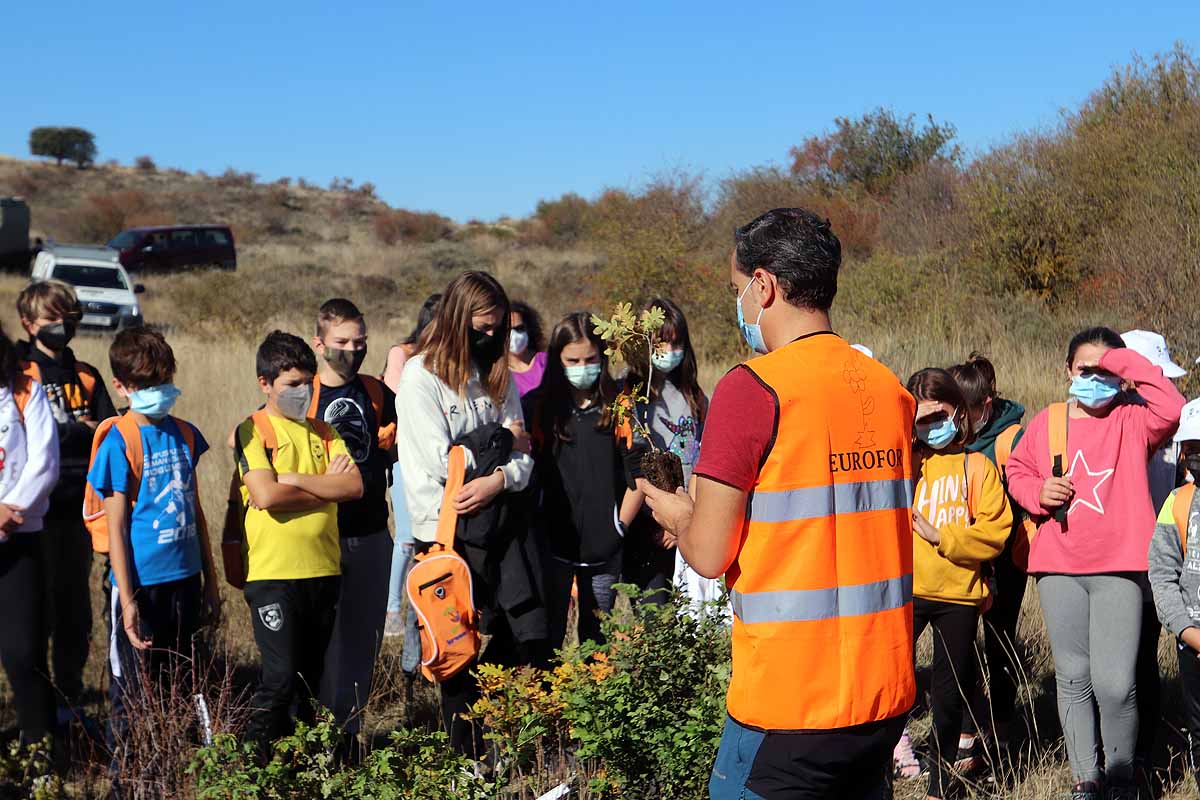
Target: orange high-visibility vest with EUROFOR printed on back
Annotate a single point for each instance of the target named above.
(823, 585)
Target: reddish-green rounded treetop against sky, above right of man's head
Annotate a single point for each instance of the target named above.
(869, 154)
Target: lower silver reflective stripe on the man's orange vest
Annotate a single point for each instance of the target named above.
(809, 605)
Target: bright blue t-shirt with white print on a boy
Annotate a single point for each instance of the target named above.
(163, 530)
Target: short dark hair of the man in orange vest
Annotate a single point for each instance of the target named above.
(800, 249)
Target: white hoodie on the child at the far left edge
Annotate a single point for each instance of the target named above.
(29, 455)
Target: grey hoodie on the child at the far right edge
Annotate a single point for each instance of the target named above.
(1175, 578)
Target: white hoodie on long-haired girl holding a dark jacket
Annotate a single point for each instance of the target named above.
(430, 417)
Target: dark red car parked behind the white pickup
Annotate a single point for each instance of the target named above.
(176, 248)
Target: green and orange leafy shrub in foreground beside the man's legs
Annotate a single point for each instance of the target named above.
(649, 706)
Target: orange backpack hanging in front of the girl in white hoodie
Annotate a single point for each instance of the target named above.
(440, 591)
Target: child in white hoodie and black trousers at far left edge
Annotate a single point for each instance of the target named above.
(29, 470)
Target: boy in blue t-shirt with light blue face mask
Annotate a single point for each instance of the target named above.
(159, 544)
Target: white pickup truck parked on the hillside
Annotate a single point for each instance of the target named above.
(110, 300)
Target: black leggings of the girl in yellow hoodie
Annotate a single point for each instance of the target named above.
(955, 665)
